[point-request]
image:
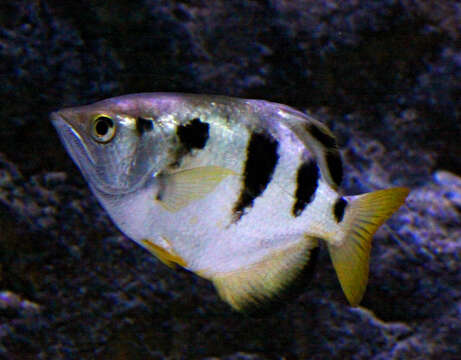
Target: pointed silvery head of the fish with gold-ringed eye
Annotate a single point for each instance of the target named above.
(105, 142)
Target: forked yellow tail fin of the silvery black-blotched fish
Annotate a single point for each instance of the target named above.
(364, 215)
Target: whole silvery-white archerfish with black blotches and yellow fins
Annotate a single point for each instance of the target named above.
(240, 192)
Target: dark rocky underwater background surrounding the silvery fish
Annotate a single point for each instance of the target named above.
(385, 76)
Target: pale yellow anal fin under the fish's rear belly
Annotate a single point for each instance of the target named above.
(249, 287)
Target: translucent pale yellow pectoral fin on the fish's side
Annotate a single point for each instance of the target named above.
(186, 186)
